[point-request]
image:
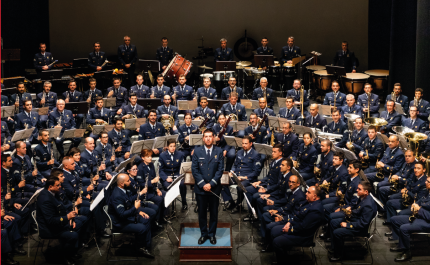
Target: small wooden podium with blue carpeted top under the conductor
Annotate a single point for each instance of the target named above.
(190, 250)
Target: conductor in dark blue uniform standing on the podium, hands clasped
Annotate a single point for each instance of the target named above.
(207, 169)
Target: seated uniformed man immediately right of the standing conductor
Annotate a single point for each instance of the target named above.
(247, 167)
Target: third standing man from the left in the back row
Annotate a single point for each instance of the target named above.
(127, 57)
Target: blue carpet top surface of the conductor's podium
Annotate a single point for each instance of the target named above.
(190, 236)
